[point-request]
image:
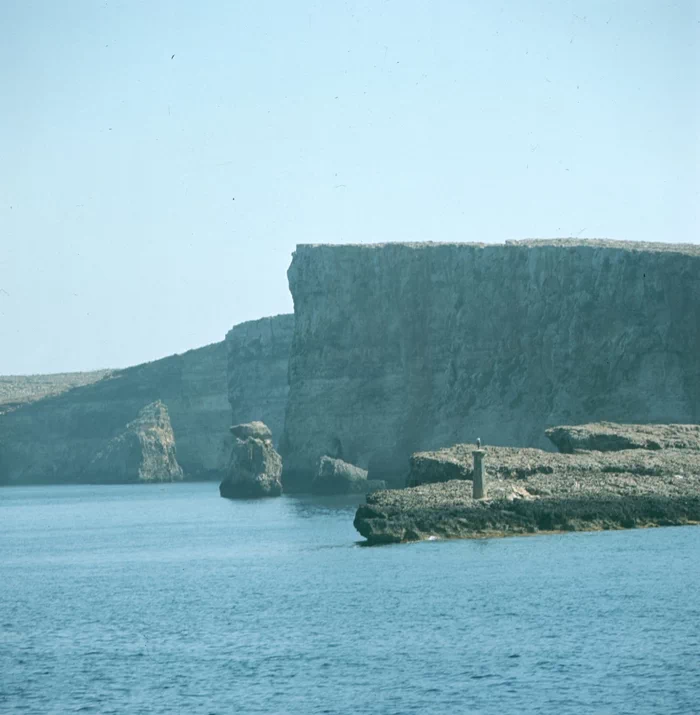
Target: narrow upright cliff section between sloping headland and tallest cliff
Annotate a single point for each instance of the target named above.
(258, 358)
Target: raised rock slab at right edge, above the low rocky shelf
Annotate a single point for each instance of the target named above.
(608, 437)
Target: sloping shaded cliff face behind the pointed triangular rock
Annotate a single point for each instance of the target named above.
(54, 439)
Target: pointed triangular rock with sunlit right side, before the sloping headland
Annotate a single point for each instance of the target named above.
(143, 452)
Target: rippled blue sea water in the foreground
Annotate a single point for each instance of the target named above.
(169, 599)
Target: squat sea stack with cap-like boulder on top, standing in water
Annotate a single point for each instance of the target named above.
(255, 468)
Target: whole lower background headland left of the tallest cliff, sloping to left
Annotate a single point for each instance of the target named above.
(53, 439)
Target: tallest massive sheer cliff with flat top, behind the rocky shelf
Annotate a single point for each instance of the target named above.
(401, 347)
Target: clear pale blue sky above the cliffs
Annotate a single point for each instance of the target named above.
(159, 161)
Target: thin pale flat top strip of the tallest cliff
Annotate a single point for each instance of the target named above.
(689, 249)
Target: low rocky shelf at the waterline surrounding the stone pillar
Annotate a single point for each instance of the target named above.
(530, 490)
